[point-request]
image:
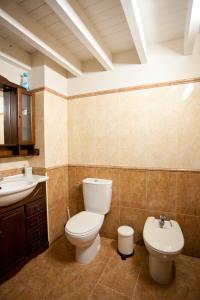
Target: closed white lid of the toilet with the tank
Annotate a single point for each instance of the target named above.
(83, 222)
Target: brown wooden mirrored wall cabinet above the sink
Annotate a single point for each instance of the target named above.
(17, 120)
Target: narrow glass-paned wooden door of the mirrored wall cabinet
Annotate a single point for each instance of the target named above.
(26, 118)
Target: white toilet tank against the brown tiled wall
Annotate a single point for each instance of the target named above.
(97, 194)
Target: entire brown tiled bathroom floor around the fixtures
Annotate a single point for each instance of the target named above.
(55, 275)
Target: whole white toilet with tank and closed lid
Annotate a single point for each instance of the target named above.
(82, 230)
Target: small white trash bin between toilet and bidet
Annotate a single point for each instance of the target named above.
(125, 241)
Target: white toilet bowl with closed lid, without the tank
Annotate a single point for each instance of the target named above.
(82, 230)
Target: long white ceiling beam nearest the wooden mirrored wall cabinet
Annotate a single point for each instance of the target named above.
(17, 20)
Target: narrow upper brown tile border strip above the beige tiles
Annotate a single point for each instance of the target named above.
(118, 90)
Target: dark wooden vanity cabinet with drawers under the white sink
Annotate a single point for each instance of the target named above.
(23, 231)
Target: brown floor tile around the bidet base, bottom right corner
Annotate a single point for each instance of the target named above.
(185, 284)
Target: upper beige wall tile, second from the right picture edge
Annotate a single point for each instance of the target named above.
(161, 114)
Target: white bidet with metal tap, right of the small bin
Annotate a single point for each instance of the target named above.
(164, 241)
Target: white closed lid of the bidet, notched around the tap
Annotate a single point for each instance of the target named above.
(167, 240)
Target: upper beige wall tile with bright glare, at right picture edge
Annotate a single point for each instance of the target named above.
(188, 155)
